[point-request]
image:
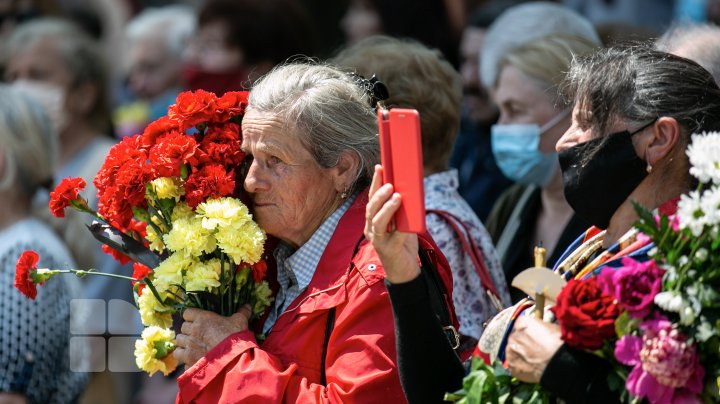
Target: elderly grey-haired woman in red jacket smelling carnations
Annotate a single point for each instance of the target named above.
(310, 133)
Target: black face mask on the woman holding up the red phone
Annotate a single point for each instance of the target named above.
(596, 189)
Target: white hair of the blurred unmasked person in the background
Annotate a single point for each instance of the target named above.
(174, 23)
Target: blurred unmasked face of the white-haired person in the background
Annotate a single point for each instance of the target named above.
(154, 69)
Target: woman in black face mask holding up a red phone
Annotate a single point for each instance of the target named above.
(634, 111)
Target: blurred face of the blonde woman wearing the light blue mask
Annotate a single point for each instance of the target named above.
(522, 101)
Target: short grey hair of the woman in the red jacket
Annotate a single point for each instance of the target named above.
(326, 109)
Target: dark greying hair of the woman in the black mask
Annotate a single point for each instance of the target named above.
(639, 85)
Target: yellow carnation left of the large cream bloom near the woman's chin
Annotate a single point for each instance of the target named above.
(188, 236)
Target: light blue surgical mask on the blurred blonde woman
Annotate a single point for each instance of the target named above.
(515, 148)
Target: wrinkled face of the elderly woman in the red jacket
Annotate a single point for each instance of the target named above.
(291, 193)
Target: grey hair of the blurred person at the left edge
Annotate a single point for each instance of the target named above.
(28, 143)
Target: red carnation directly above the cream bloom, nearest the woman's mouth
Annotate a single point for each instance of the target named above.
(212, 181)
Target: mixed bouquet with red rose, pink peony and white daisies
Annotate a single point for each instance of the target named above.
(658, 321)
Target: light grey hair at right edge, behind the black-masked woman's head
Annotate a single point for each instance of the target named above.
(698, 42)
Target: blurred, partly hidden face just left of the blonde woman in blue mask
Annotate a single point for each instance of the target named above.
(476, 100)
